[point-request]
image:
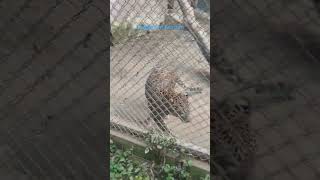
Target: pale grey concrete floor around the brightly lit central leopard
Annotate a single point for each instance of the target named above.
(130, 65)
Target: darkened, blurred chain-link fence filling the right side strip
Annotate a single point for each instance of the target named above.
(268, 53)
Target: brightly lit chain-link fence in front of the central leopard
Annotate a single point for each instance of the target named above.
(159, 73)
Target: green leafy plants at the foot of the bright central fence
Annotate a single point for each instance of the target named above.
(124, 167)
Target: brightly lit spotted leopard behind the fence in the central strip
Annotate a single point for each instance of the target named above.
(167, 94)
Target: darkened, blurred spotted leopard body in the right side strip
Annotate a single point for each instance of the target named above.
(234, 143)
